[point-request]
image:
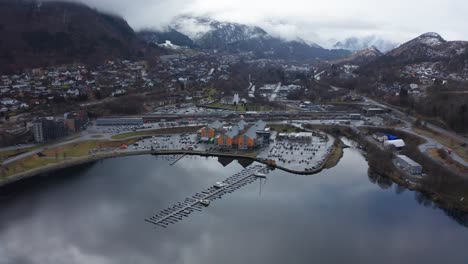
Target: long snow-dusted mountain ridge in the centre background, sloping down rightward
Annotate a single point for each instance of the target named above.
(233, 37)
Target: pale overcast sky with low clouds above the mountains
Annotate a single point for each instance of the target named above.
(317, 21)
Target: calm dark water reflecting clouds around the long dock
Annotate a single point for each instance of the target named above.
(94, 214)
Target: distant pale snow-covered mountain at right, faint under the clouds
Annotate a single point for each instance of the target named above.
(357, 44)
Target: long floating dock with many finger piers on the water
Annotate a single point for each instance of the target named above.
(184, 208)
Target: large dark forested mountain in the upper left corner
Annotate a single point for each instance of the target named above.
(47, 33)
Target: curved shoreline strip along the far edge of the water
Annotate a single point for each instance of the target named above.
(88, 159)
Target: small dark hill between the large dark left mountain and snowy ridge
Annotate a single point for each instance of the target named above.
(172, 35)
